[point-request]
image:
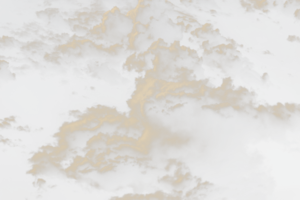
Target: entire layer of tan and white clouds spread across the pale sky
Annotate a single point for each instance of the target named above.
(183, 138)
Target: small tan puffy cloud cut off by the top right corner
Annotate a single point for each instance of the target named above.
(288, 7)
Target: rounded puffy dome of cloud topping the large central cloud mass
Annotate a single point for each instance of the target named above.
(168, 62)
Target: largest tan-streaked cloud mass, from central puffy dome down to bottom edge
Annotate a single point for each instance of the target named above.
(182, 135)
